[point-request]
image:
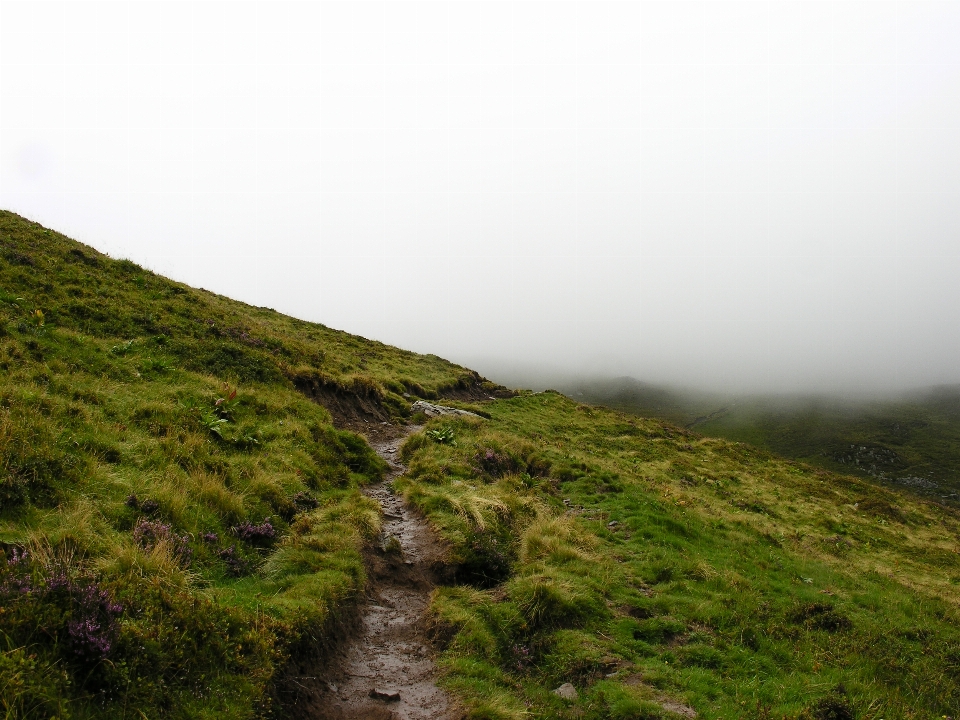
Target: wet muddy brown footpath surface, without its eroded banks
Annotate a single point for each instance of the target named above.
(386, 670)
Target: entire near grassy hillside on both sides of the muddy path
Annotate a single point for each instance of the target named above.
(180, 514)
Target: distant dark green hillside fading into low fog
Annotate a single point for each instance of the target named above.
(911, 441)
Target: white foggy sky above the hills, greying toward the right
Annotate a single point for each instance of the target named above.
(757, 195)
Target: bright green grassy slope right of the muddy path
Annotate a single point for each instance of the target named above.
(659, 571)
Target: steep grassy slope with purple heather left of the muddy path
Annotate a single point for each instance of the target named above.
(177, 515)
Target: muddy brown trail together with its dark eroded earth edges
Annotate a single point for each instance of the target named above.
(328, 684)
